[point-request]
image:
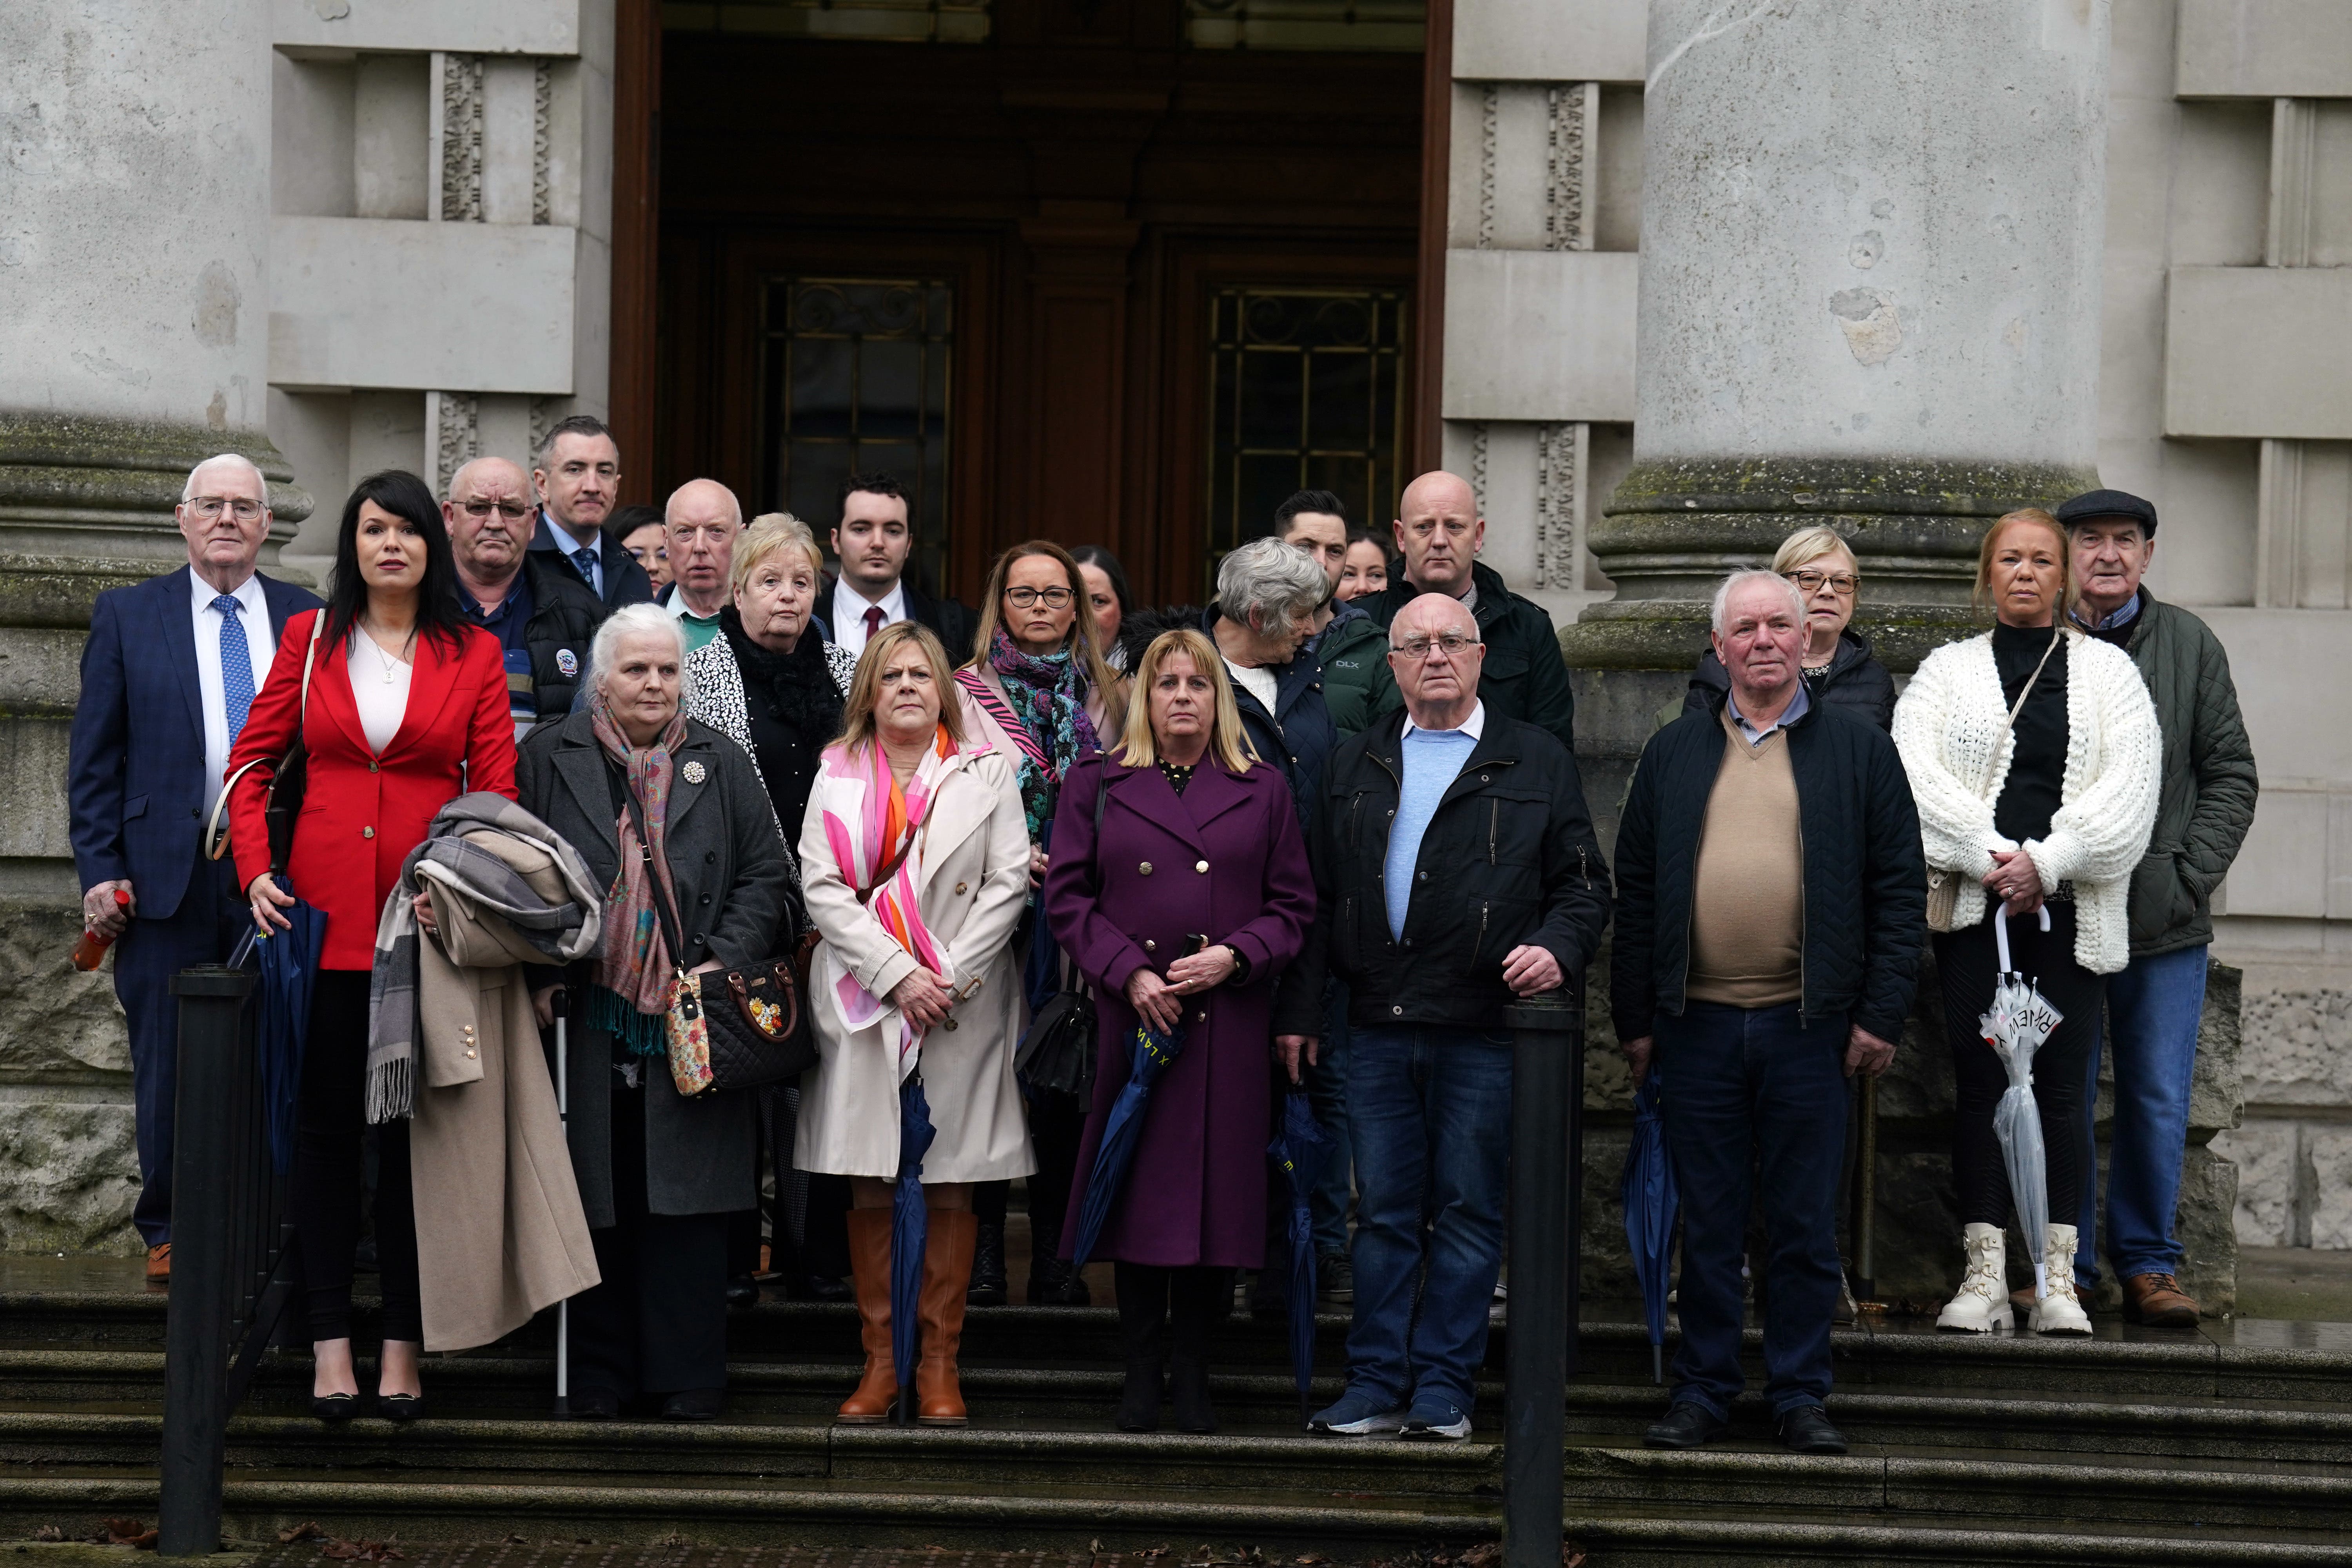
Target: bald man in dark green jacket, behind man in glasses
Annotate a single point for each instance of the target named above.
(1441, 535)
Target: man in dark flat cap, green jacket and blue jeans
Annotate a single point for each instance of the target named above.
(2203, 817)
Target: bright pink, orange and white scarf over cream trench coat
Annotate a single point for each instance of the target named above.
(871, 819)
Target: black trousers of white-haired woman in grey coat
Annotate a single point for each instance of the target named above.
(657, 1322)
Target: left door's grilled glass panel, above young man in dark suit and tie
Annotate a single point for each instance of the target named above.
(855, 377)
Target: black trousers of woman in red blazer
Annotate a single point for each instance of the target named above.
(326, 1184)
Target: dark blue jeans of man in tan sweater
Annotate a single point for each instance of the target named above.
(1756, 1090)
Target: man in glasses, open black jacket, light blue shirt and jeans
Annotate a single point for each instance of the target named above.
(1455, 871)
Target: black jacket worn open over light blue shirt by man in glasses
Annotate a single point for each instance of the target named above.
(1506, 862)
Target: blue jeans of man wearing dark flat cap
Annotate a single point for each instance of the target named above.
(2153, 1012)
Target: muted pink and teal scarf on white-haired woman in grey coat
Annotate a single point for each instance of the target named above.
(634, 970)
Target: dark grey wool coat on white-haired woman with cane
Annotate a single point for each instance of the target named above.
(733, 897)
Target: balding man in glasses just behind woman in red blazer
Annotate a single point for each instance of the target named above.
(540, 610)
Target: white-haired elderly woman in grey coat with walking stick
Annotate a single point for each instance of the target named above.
(676, 826)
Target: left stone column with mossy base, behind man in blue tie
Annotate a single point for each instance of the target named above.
(133, 344)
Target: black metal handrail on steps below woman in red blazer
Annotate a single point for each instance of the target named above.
(232, 1249)
